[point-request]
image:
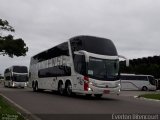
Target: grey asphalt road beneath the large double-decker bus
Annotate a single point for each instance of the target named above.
(47, 105)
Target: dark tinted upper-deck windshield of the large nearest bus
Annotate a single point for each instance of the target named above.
(94, 45)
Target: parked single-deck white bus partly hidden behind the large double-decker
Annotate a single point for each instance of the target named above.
(137, 82)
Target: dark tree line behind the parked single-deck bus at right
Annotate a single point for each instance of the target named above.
(146, 65)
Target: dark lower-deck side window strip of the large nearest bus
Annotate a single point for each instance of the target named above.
(55, 71)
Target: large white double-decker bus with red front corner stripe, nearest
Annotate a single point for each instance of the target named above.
(84, 64)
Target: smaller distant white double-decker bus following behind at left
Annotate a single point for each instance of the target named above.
(16, 76)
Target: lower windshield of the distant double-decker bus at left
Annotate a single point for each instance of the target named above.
(20, 78)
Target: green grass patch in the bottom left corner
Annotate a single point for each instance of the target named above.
(7, 111)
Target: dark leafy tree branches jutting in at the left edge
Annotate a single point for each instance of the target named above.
(8, 45)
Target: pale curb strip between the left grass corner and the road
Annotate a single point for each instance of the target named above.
(25, 113)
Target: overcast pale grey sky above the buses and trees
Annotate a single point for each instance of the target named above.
(133, 25)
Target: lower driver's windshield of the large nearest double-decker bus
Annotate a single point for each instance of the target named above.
(103, 69)
